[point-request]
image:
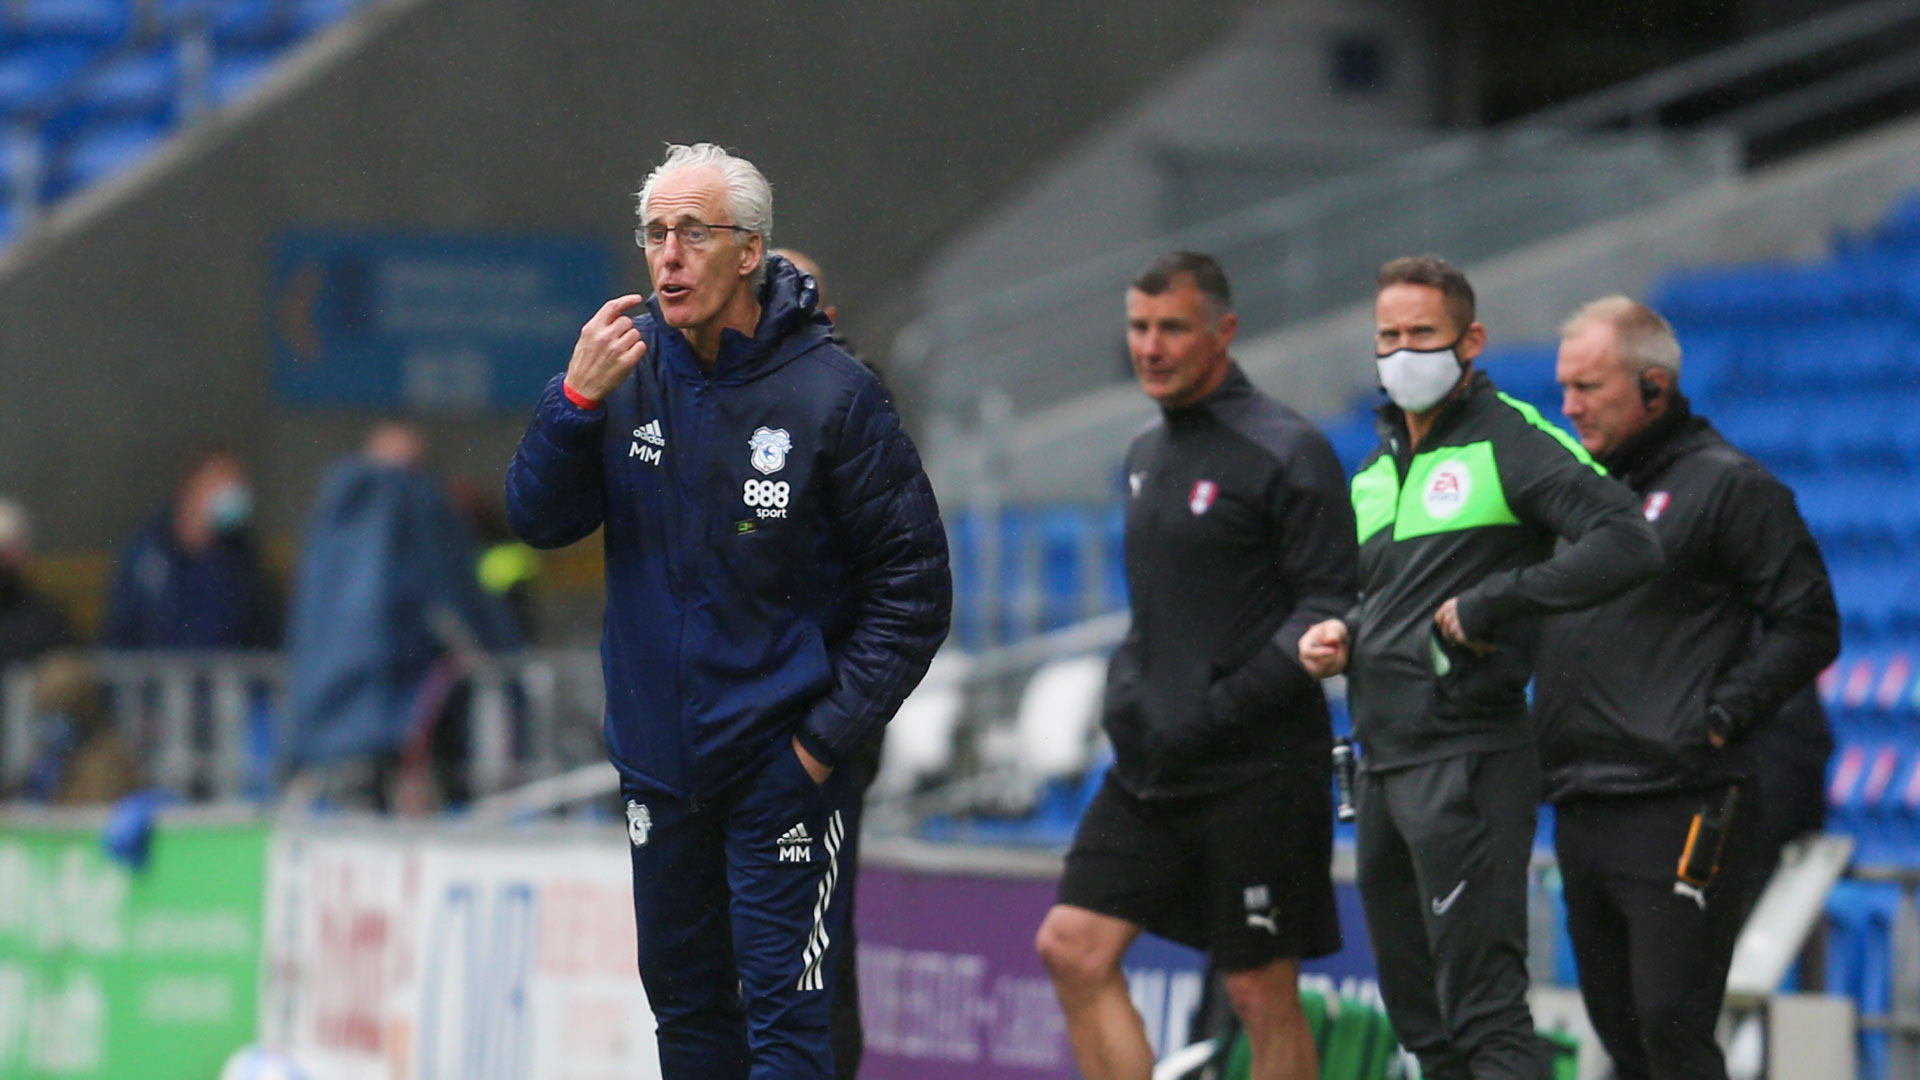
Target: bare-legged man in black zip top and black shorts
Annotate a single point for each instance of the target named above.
(1214, 825)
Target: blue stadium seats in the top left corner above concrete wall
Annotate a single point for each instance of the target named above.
(89, 87)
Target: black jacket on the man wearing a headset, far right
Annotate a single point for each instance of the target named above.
(1742, 618)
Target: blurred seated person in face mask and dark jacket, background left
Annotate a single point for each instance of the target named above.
(193, 579)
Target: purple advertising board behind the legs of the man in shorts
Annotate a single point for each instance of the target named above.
(953, 991)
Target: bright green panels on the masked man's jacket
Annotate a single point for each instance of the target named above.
(1449, 489)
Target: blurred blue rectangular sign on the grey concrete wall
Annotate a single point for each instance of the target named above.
(429, 324)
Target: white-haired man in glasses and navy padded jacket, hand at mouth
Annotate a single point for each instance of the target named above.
(777, 585)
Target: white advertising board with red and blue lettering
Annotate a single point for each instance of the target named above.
(429, 956)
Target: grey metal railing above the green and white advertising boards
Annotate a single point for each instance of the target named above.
(208, 724)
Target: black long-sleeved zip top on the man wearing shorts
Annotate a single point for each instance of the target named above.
(1239, 537)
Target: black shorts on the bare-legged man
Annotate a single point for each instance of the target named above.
(1245, 875)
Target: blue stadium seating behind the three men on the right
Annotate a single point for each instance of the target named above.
(1812, 370)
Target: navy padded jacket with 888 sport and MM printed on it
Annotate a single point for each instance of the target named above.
(777, 562)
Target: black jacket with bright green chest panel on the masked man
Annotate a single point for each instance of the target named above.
(1476, 514)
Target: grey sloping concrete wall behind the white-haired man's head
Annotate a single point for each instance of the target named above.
(133, 326)
